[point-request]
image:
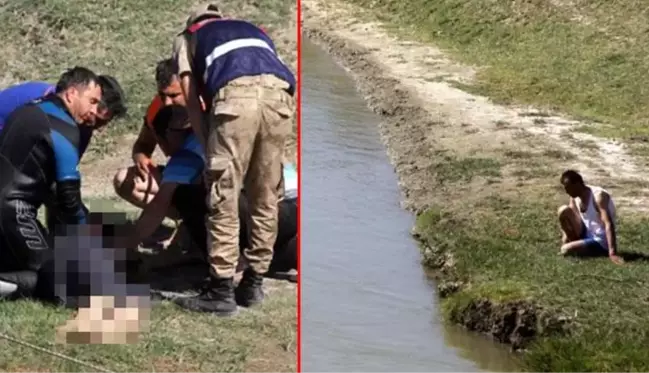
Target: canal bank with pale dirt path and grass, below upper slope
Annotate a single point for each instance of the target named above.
(482, 179)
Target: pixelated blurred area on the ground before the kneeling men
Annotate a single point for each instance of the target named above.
(94, 272)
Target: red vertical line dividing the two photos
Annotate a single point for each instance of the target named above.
(299, 183)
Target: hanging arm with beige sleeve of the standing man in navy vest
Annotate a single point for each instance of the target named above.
(188, 86)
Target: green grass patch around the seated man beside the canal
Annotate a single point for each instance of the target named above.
(504, 249)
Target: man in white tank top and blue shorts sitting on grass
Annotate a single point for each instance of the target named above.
(588, 222)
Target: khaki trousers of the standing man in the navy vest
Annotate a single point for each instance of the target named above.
(249, 123)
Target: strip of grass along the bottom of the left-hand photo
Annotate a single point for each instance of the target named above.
(178, 340)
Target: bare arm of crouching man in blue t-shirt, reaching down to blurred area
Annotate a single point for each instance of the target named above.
(152, 215)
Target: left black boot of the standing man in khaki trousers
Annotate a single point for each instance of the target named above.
(216, 297)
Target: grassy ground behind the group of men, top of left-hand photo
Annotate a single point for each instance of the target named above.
(41, 38)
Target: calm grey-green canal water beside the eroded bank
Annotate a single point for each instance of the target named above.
(367, 305)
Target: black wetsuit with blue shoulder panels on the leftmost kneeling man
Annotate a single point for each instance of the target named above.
(39, 156)
